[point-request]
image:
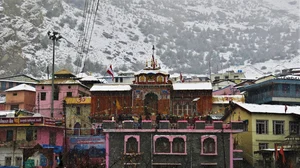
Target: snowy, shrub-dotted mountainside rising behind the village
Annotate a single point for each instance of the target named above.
(189, 35)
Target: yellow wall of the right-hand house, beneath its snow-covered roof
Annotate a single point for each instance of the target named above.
(249, 141)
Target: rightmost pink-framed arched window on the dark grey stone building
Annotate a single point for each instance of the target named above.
(209, 145)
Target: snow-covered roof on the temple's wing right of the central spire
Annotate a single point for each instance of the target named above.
(193, 86)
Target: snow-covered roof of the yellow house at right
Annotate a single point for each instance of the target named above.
(267, 108)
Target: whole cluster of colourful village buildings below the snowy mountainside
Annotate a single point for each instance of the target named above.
(150, 118)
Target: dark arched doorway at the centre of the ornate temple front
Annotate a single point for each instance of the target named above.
(150, 103)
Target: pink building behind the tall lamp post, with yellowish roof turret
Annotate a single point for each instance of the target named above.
(65, 85)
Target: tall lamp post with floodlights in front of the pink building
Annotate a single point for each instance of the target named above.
(54, 36)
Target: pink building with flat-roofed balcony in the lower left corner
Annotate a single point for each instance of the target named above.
(34, 140)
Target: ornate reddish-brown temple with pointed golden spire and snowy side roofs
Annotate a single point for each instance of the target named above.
(151, 93)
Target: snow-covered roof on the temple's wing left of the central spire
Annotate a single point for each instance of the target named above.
(110, 87)
